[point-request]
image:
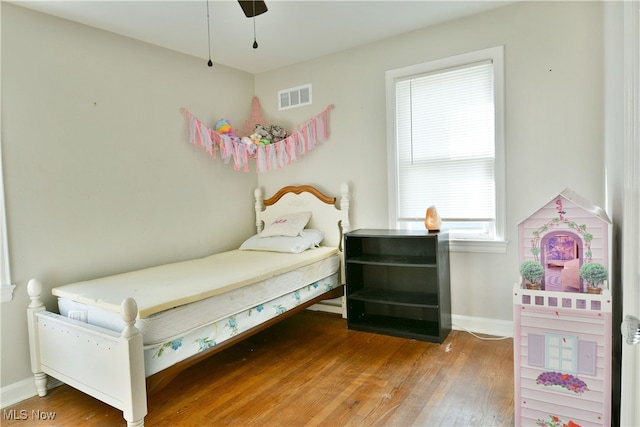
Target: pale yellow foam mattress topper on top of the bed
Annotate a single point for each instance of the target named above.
(160, 288)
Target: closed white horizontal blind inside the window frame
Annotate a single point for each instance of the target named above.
(446, 144)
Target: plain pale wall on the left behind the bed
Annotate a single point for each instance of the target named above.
(99, 176)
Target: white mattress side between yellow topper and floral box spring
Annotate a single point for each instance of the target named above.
(166, 325)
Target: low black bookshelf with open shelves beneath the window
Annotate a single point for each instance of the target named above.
(398, 283)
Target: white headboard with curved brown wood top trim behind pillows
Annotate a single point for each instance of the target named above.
(326, 215)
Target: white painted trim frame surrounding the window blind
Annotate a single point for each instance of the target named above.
(495, 54)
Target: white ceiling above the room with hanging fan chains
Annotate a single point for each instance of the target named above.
(290, 31)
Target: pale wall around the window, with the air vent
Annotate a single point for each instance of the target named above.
(554, 124)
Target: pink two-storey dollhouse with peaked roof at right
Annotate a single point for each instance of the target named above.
(562, 335)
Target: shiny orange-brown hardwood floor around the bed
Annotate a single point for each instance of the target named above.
(311, 370)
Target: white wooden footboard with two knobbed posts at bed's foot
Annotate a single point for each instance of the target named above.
(103, 364)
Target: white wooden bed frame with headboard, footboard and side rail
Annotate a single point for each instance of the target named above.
(110, 366)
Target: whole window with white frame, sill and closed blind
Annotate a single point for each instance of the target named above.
(446, 146)
